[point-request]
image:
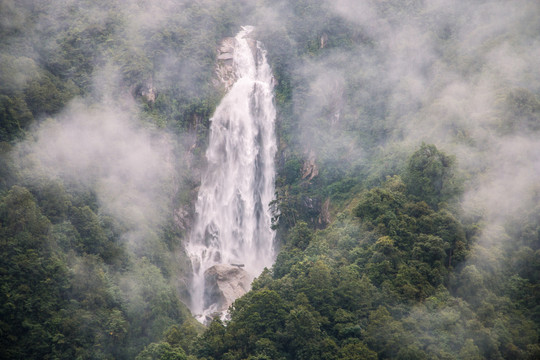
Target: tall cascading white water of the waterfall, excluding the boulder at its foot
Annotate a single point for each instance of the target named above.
(233, 219)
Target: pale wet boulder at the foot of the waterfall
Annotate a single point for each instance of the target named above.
(224, 283)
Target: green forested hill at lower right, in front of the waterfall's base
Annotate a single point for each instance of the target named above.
(389, 278)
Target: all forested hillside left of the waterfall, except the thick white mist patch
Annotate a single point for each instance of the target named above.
(72, 286)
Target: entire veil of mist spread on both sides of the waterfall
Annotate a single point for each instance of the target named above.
(120, 94)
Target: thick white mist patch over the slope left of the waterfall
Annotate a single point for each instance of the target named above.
(105, 149)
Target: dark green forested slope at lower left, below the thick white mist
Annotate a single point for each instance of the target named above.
(69, 289)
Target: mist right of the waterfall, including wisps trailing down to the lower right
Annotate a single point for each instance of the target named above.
(461, 75)
